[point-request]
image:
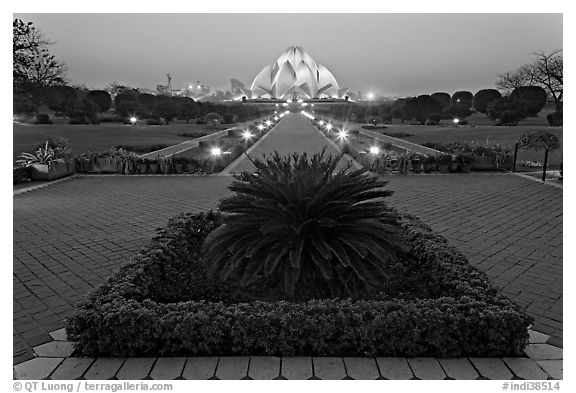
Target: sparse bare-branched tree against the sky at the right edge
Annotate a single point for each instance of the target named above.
(545, 71)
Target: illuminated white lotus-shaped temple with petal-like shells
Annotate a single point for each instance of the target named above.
(295, 75)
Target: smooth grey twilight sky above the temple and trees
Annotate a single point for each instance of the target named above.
(390, 54)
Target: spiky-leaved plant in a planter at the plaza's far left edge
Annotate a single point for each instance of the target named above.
(44, 164)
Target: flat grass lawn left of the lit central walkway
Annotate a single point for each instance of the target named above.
(96, 138)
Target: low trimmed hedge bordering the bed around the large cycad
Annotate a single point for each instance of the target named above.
(161, 303)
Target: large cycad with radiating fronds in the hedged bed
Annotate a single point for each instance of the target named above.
(300, 228)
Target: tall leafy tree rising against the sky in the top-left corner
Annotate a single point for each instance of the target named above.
(33, 65)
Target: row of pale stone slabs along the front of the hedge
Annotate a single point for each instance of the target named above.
(54, 364)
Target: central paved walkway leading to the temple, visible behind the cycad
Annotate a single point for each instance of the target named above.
(293, 134)
